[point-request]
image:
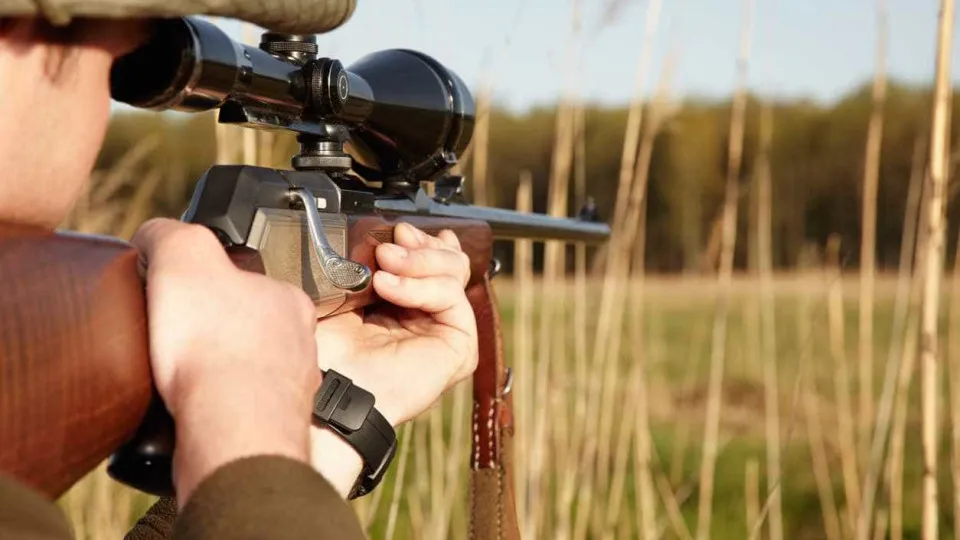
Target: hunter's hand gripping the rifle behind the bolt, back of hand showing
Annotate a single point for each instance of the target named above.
(232, 353)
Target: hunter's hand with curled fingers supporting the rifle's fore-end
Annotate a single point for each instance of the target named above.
(424, 340)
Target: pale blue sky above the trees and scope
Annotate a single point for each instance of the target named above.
(814, 48)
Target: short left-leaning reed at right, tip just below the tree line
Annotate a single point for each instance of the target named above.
(811, 406)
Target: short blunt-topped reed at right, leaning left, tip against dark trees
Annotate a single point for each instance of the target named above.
(845, 427)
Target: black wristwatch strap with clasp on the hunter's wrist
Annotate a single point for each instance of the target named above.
(348, 410)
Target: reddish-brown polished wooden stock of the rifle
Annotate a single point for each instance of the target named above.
(74, 359)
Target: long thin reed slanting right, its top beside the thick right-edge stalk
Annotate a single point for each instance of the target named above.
(895, 355)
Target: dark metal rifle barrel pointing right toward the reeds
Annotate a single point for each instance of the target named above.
(506, 224)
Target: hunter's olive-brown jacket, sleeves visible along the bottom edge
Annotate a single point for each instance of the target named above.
(252, 498)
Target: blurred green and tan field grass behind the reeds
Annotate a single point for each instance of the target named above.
(676, 313)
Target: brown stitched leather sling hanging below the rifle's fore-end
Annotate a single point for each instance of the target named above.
(492, 503)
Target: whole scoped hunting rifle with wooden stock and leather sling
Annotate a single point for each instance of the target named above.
(75, 384)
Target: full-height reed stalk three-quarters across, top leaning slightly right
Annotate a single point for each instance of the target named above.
(718, 343)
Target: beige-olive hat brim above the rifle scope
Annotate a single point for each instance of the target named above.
(288, 16)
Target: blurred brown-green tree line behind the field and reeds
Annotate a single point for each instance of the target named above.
(817, 166)
